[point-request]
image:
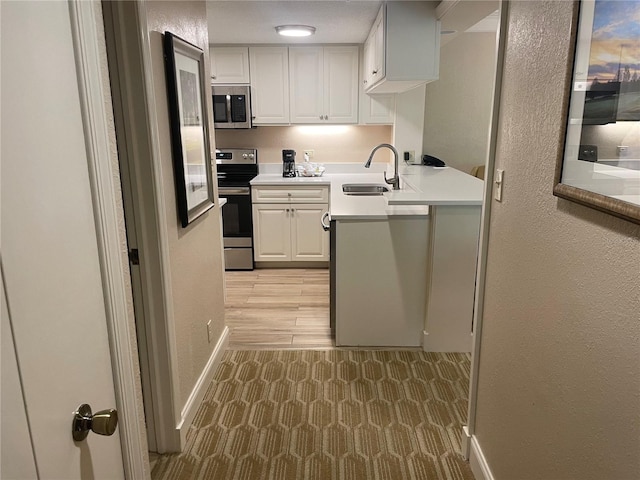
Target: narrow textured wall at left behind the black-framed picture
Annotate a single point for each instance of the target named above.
(195, 251)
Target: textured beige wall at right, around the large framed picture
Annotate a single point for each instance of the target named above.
(559, 383)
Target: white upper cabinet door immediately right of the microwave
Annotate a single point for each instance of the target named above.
(269, 85)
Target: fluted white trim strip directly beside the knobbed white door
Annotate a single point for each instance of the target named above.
(107, 207)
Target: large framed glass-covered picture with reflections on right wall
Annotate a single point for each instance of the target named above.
(599, 164)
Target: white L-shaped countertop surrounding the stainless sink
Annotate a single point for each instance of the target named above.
(421, 186)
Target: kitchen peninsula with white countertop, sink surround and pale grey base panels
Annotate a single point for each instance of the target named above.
(403, 263)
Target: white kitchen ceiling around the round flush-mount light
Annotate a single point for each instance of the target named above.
(336, 21)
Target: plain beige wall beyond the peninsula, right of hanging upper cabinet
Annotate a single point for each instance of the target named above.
(458, 105)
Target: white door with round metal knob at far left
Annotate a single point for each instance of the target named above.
(49, 247)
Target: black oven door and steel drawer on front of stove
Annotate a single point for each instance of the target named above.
(237, 227)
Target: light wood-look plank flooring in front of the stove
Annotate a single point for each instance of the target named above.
(278, 309)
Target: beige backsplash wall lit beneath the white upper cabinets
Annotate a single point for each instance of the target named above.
(330, 143)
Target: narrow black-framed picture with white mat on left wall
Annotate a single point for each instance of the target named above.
(184, 67)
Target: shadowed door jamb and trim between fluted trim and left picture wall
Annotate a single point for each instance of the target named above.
(130, 69)
